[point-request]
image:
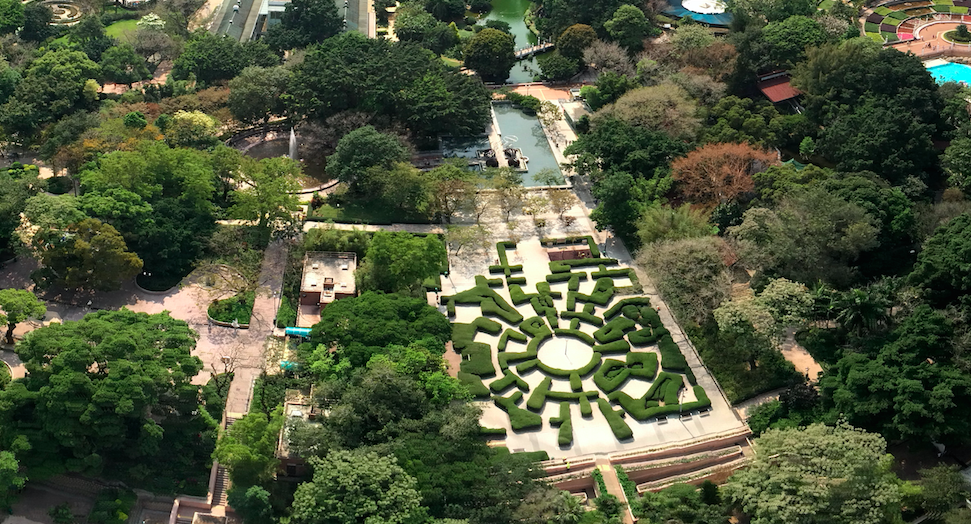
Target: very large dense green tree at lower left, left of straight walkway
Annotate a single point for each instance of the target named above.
(111, 392)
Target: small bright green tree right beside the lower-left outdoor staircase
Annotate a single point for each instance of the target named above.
(248, 449)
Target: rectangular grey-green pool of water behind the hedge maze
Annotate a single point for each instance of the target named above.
(518, 130)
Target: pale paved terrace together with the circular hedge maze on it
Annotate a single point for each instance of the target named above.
(570, 358)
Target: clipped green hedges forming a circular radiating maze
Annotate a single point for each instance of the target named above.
(627, 341)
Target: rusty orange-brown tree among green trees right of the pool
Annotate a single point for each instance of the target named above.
(719, 173)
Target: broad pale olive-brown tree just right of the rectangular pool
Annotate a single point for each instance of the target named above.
(665, 107)
